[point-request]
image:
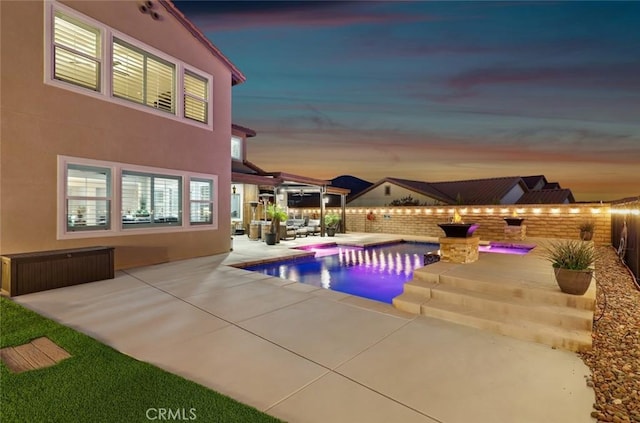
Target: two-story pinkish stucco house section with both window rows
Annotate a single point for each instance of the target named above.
(116, 121)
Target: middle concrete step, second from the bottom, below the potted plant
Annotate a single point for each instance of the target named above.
(508, 308)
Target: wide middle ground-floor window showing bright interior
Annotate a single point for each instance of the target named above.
(151, 200)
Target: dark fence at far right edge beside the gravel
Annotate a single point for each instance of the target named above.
(625, 232)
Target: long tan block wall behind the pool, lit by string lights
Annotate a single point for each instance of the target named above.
(541, 220)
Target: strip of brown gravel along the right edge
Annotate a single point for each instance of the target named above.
(615, 358)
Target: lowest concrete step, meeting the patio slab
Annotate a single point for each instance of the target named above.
(569, 339)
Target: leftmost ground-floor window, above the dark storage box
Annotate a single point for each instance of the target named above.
(88, 198)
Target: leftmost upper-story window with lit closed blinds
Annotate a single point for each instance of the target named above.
(76, 51)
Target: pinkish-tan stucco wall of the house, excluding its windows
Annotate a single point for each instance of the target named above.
(40, 122)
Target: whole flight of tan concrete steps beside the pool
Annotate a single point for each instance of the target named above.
(524, 309)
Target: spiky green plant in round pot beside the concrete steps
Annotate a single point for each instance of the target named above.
(572, 263)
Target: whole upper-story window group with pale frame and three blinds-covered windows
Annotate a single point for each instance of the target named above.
(88, 57)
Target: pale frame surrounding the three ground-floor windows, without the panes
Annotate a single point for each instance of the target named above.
(117, 228)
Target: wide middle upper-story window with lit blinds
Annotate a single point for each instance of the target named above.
(143, 78)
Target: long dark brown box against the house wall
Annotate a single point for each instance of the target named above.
(33, 272)
